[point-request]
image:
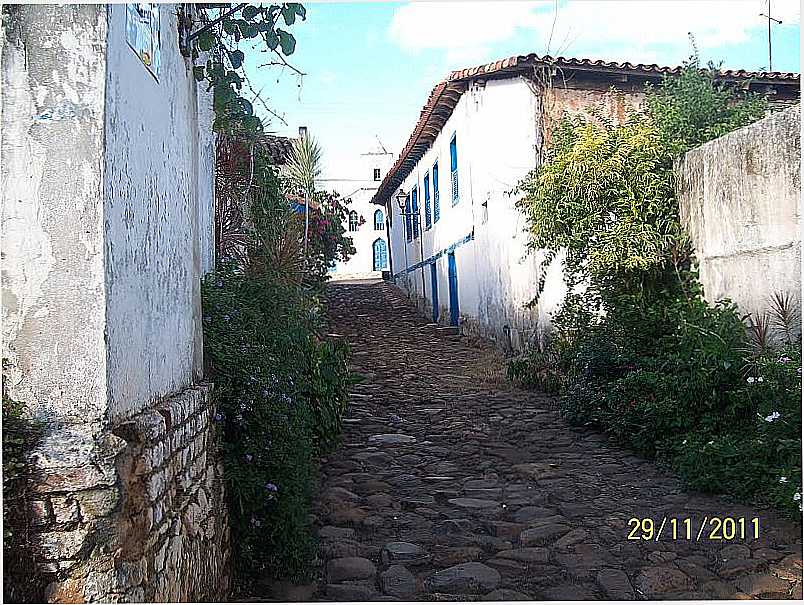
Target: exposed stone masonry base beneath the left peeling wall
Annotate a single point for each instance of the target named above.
(156, 532)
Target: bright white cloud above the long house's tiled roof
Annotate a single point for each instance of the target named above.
(636, 31)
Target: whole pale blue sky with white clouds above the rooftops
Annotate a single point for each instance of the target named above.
(368, 67)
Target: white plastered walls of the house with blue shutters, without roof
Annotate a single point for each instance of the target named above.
(501, 127)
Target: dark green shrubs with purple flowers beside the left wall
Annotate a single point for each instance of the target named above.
(281, 389)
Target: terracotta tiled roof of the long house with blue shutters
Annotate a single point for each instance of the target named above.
(445, 96)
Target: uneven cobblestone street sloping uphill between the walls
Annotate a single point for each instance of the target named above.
(452, 485)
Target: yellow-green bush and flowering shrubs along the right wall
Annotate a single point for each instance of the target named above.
(637, 352)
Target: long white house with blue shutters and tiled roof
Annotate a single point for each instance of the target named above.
(458, 244)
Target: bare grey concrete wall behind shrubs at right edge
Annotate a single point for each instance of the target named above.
(739, 199)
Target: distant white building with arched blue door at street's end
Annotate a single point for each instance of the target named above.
(366, 223)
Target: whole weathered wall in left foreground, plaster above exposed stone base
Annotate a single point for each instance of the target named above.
(106, 232)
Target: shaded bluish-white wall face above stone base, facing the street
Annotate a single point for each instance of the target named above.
(154, 187)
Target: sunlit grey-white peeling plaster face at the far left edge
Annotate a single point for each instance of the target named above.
(52, 224)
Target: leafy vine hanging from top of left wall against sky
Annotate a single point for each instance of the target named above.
(215, 48)
